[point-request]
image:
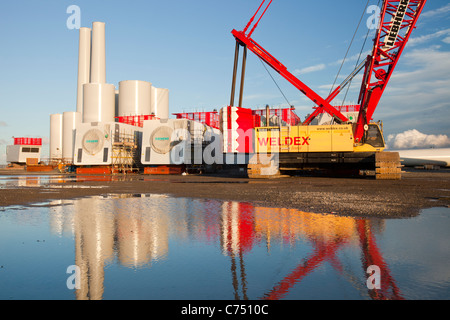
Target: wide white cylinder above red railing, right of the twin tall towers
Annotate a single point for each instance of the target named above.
(134, 98)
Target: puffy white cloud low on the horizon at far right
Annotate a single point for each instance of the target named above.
(415, 139)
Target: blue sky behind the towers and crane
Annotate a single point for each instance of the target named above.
(187, 46)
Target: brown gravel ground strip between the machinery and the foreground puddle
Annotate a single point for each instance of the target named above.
(356, 197)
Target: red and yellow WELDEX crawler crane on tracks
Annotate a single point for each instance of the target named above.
(397, 20)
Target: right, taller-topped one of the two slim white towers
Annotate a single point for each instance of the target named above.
(98, 57)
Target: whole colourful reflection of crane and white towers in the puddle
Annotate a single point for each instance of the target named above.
(136, 233)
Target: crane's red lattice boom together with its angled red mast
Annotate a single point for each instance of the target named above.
(381, 63)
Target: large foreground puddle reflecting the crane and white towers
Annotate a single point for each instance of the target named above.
(158, 247)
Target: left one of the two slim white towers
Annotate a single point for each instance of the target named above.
(84, 64)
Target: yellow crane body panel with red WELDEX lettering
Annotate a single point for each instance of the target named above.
(331, 138)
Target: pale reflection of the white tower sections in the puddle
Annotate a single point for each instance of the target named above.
(132, 231)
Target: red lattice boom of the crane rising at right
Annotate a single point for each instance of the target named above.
(383, 60)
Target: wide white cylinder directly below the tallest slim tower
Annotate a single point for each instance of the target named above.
(99, 102)
